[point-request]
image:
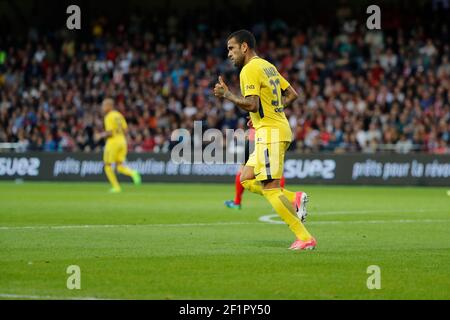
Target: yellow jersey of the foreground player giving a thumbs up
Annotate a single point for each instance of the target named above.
(260, 78)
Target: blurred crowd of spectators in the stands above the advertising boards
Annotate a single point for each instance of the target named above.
(362, 90)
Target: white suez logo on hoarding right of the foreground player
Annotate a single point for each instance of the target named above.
(310, 168)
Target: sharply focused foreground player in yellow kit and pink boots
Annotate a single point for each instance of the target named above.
(264, 95)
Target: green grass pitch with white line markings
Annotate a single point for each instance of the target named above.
(178, 241)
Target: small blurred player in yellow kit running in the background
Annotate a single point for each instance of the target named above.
(116, 146)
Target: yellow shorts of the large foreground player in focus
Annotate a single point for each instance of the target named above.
(268, 160)
